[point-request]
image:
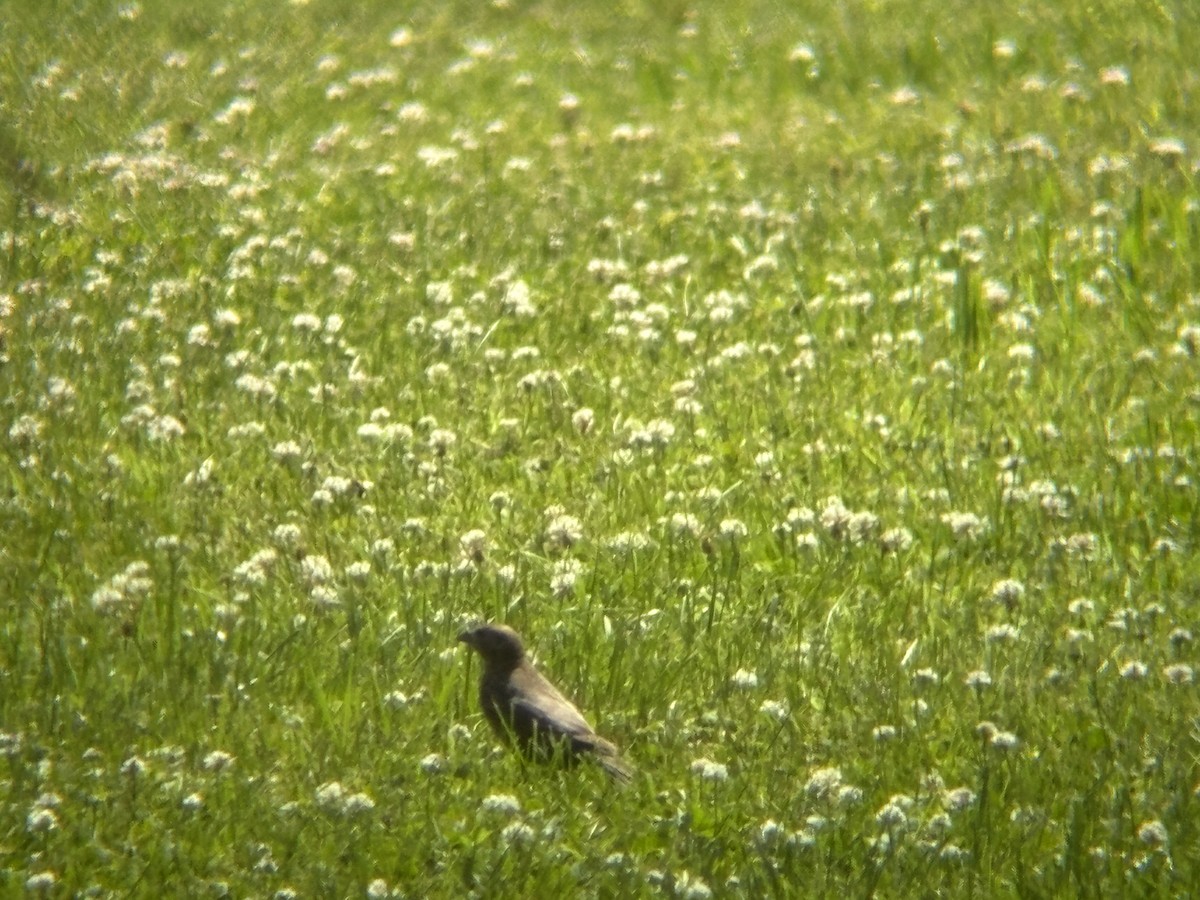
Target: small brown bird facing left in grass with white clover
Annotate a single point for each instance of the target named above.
(529, 712)
